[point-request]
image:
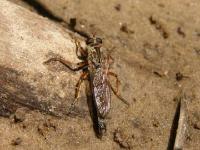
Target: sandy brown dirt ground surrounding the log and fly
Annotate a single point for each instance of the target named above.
(155, 42)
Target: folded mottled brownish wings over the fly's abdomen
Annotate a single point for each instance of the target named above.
(101, 93)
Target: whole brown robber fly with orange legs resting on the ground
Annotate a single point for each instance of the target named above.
(95, 66)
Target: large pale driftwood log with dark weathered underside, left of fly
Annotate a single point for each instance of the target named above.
(26, 41)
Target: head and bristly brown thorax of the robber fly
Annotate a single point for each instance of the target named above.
(94, 50)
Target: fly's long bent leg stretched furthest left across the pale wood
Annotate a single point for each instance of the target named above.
(71, 66)
